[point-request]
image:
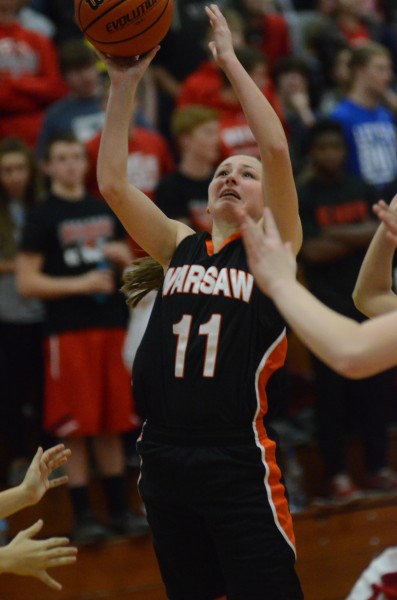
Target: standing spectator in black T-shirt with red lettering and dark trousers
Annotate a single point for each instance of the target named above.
(338, 226)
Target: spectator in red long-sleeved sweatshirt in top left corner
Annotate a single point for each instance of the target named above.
(29, 75)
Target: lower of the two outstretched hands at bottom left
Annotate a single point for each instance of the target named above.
(25, 556)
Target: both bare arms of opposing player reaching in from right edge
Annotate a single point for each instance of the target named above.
(353, 349)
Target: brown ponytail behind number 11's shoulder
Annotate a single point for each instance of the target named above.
(144, 275)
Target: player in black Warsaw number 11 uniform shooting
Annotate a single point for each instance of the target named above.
(210, 476)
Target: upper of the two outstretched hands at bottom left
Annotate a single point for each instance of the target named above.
(37, 481)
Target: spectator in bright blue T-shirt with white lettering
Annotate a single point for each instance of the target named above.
(370, 127)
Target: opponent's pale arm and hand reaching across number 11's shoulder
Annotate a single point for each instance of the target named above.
(353, 349)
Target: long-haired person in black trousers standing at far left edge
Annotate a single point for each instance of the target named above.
(21, 319)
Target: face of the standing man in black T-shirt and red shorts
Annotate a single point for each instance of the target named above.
(67, 164)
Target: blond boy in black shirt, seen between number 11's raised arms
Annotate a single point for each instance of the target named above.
(182, 195)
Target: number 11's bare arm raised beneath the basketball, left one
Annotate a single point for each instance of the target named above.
(145, 223)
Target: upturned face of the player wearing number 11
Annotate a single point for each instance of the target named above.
(237, 181)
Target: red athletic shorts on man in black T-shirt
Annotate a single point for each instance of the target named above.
(87, 386)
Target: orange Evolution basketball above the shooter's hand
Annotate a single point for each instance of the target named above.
(124, 28)
